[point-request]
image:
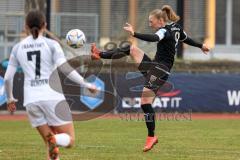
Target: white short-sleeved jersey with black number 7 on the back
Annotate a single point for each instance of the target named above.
(37, 58)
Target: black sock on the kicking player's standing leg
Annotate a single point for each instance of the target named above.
(149, 118)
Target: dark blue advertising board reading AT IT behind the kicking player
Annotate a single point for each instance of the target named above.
(196, 92)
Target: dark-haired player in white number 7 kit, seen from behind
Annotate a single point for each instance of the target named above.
(38, 56)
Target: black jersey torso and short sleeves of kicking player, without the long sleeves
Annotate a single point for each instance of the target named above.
(167, 45)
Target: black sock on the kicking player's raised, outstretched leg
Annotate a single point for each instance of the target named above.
(115, 53)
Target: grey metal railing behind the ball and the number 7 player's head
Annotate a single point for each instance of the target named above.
(12, 28)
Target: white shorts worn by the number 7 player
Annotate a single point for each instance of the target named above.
(52, 112)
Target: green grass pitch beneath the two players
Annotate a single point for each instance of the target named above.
(115, 139)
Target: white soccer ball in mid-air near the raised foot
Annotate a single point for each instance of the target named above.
(75, 38)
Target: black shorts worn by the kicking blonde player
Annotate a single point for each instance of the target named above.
(156, 74)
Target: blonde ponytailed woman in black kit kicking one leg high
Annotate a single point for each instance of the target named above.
(156, 71)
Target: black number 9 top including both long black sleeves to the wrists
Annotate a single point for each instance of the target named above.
(167, 38)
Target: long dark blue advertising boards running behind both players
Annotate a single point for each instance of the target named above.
(200, 92)
